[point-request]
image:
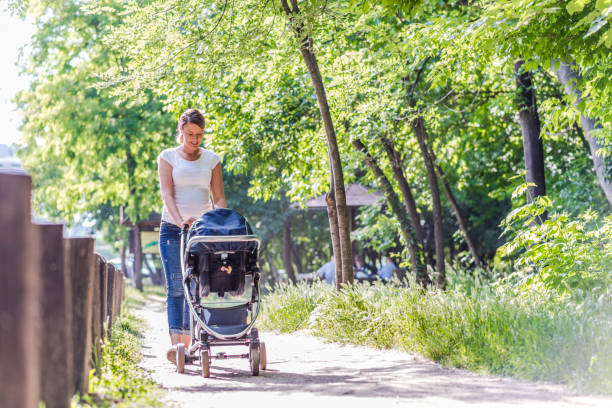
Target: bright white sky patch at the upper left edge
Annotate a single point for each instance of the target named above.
(14, 33)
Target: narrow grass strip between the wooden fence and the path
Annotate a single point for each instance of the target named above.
(120, 382)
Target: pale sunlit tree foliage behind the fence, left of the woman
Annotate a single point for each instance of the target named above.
(84, 147)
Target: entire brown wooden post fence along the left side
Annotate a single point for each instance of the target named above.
(57, 297)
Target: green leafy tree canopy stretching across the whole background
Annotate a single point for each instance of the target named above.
(429, 89)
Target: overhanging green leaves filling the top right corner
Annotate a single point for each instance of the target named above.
(544, 32)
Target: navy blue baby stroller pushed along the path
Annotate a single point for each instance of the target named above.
(221, 283)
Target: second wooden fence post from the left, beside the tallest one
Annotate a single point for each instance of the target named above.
(56, 349)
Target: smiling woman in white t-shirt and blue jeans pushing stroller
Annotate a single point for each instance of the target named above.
(188, 175)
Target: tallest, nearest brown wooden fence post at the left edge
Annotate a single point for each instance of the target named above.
(19, 295)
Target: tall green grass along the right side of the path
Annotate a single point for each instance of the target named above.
(486, 329)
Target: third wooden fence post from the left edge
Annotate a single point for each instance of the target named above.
(79, 261)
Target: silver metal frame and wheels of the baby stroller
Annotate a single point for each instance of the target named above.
(203, 337)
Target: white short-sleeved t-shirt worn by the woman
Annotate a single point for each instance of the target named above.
(191, 182)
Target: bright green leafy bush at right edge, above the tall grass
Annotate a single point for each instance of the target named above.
(562, 256)
